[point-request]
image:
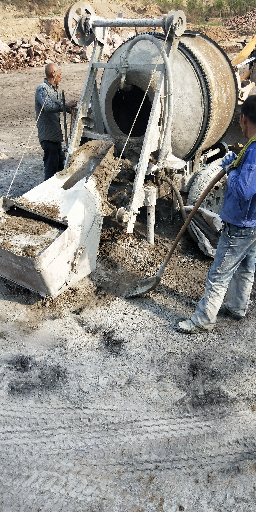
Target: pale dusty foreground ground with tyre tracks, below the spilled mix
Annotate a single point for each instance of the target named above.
(110, 409)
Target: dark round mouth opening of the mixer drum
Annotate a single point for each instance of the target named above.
(125, 105)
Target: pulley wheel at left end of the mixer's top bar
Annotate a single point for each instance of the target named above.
(75, 24)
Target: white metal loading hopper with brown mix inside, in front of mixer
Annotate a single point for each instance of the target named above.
(49, 237)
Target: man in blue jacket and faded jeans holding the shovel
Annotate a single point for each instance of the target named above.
(232, 271)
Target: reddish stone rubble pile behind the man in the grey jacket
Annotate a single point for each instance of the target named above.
(41, 49)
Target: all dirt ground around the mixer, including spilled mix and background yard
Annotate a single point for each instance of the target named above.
(105, 406)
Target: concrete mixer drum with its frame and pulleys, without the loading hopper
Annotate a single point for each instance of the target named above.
(171, 93)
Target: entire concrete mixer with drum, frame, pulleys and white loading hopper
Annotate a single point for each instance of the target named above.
(165, 100)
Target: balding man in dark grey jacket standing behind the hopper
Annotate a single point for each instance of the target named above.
(48, 106)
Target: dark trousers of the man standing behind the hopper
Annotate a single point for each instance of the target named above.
(54, 158)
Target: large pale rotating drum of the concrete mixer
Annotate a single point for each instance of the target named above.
(204, 92)
